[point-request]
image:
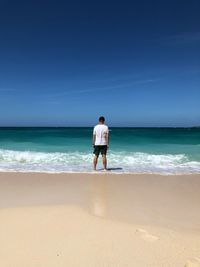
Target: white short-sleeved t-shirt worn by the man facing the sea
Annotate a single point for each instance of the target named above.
(100, 130)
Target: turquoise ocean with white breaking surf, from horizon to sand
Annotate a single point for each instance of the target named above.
(132, 150)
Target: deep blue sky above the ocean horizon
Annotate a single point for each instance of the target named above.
(65, 63)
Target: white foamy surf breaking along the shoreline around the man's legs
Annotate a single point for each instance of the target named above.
(127, 162)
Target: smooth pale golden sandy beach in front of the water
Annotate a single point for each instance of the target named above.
(99, 220)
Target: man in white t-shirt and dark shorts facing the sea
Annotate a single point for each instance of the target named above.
(100, 142)
